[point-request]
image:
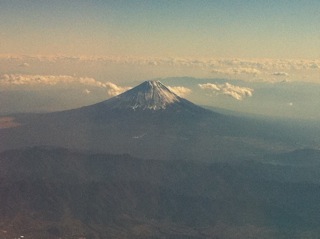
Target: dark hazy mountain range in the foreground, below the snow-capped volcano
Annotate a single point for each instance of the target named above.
(59, 193)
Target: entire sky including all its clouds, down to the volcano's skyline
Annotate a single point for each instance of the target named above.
(255, 56)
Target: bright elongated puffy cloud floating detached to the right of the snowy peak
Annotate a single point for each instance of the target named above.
(236, 92)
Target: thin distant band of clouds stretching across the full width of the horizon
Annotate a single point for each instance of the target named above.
(246, 66)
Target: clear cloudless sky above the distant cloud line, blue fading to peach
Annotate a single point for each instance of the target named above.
(210, 28)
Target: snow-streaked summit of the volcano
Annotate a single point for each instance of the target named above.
(151, 95)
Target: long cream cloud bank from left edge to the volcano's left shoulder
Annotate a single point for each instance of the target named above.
(19, 80)
